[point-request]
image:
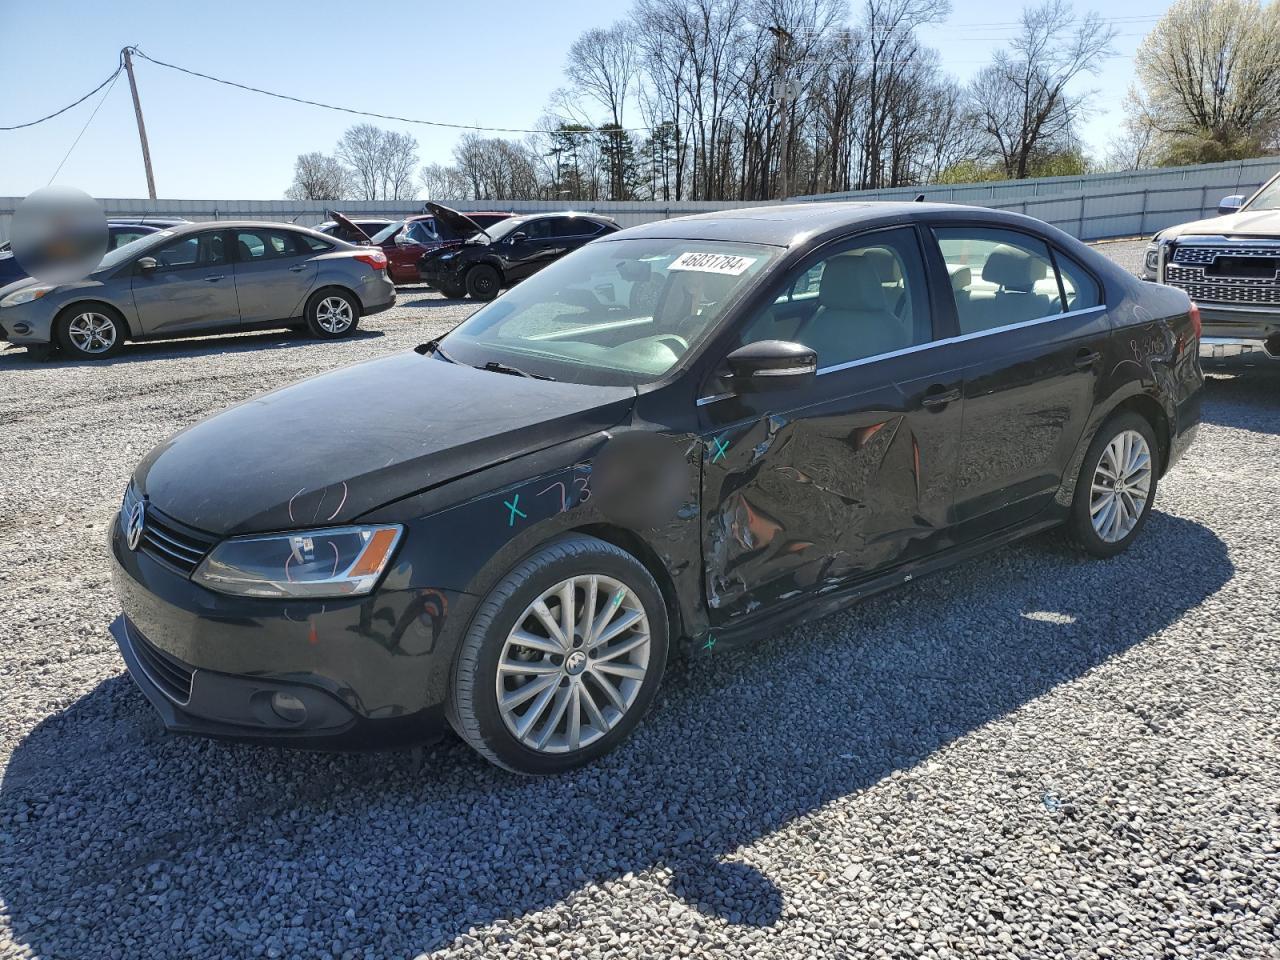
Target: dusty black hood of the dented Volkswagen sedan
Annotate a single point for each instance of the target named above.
(328, 450)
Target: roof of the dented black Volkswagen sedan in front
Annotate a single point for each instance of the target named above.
(792, 225)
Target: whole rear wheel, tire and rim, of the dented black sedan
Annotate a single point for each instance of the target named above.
(1123, 452)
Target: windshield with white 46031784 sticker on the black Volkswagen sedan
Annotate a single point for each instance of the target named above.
(612, 313)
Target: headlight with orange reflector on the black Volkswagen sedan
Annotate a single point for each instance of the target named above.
(344, 561)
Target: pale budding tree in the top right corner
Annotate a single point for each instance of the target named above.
(1208, 80)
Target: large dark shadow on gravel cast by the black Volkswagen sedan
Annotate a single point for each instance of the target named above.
(115, 835)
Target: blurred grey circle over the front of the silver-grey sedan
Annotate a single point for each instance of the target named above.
(60, 235)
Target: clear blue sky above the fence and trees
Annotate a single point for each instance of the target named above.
(493, 65)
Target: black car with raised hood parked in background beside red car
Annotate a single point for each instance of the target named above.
(508, 253)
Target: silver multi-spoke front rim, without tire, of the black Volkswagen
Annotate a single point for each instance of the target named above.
(574, 665)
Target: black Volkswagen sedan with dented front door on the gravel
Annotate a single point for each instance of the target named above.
(679, 438)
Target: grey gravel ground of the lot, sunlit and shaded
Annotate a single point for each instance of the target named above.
(1034, 756)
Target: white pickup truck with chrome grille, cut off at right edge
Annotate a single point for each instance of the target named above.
(1231, 267)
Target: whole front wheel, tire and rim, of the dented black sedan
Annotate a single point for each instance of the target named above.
(556, 694)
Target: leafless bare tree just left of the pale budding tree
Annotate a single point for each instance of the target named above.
(1022, 99)
